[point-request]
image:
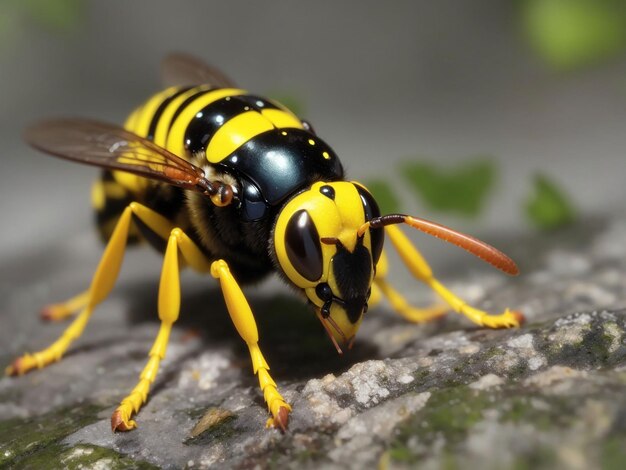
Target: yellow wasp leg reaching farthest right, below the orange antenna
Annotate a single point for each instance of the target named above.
(422, 271)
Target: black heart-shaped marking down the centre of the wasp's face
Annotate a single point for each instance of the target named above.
(352, 273)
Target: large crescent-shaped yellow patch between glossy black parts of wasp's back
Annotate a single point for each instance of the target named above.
(235, 132)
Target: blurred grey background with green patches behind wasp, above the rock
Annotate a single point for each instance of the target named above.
(494, 117)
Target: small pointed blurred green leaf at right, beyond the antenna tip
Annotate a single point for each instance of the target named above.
(548, 208)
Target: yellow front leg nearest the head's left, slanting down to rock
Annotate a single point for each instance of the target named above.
(245, 324)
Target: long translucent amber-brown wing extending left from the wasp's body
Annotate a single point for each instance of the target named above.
(113, 147)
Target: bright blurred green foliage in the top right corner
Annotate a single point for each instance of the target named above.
(570, 34)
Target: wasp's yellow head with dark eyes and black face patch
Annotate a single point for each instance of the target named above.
(319, 248)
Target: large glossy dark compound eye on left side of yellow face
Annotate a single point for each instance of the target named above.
(303, 246)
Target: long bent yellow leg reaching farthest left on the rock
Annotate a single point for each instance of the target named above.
(101, 285)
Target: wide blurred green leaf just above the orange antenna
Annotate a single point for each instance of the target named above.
(462, 190)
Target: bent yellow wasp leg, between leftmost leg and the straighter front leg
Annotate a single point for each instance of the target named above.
(168, 308)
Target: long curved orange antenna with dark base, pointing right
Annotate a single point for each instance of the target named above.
(470, 244)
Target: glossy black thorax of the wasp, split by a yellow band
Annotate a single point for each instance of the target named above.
(271, 166)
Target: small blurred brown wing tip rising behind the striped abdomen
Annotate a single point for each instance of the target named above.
(186, 70)
